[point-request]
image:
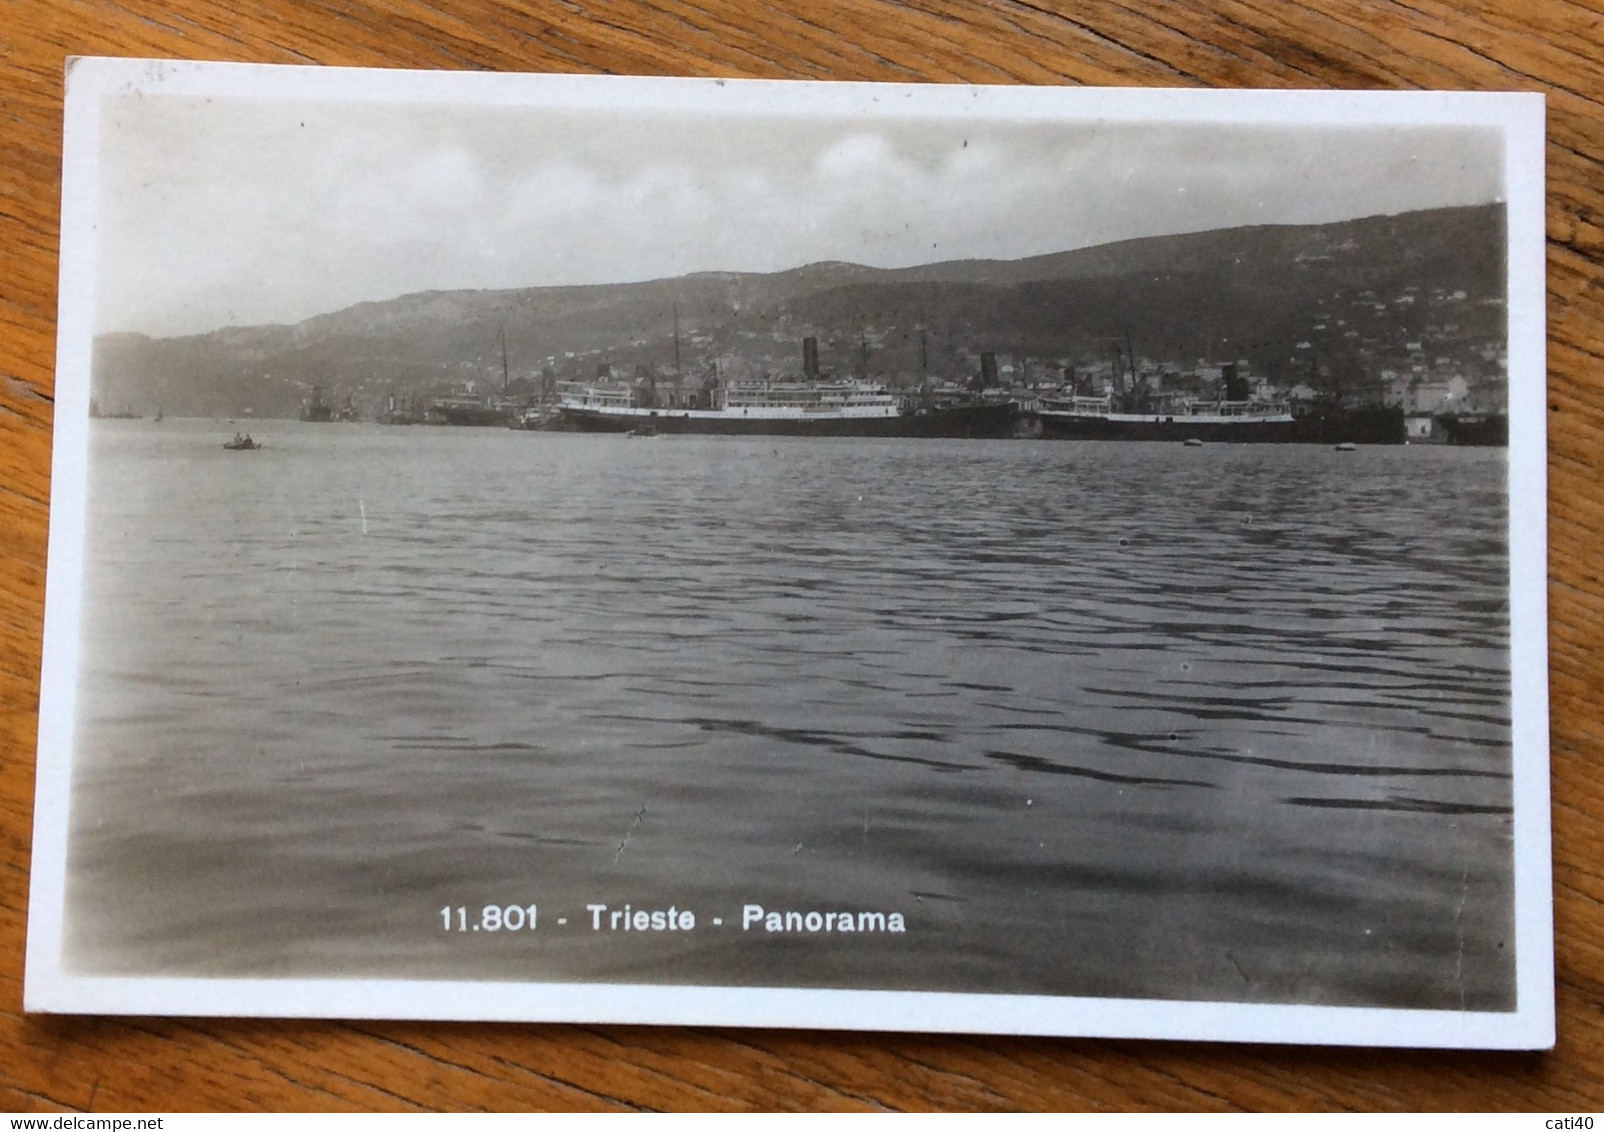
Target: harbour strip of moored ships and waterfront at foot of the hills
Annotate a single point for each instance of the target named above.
(1205, 405)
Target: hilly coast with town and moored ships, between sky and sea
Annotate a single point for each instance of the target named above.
(1226, 334)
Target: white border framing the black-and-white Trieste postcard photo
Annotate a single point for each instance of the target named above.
(49, 988)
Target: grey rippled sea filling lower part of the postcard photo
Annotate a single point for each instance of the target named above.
(1093, 719)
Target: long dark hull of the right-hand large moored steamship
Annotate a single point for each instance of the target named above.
(1355, 427)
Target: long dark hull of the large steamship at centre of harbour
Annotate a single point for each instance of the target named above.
(962, 422)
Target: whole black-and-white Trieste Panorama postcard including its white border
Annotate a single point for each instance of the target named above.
(649, 551)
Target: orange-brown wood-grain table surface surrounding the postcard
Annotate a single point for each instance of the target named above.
(105, 1065)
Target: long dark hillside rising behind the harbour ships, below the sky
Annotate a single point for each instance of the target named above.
(1416, 294)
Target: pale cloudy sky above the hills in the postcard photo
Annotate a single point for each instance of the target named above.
(238, 212)
